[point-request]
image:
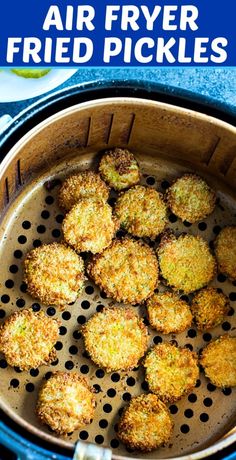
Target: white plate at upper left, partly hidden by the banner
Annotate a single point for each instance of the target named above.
(15, 88)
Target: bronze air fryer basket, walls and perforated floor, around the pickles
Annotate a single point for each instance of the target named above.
(167, 141)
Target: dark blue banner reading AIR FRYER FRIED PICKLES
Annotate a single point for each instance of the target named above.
(117, 33)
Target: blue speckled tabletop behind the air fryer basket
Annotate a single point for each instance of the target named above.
(218, 84)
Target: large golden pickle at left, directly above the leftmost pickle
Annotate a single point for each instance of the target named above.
(54, 274)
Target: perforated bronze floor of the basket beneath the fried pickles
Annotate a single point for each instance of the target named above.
(200, 418)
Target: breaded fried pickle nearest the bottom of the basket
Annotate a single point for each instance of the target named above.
(145, 423)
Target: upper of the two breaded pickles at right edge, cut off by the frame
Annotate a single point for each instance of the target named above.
(225, 250)
